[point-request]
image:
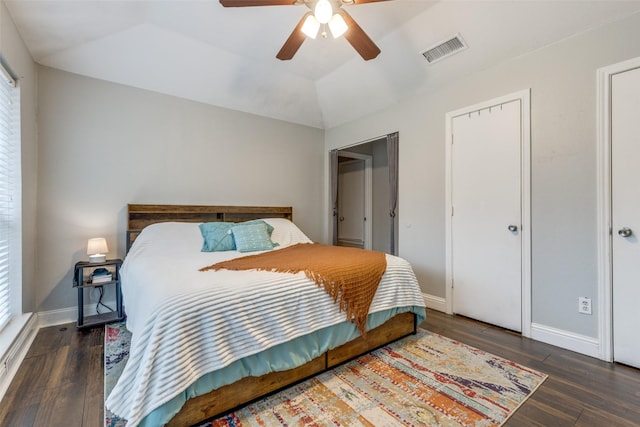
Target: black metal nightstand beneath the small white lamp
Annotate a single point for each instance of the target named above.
(81, 280)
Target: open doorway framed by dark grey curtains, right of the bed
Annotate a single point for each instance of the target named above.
(381, 221)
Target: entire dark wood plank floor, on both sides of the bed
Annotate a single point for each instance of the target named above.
(60, 381)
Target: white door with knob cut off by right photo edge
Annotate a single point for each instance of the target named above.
(625, 215)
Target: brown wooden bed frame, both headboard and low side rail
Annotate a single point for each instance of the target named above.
(248, 389)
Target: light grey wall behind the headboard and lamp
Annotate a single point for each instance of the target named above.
(104, 145)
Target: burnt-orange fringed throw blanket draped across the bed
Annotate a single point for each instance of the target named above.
(349, 275)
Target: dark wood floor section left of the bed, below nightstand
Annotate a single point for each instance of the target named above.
(60, 382)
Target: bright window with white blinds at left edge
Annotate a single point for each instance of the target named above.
(10, 199)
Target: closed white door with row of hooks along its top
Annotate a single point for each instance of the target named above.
(485, 265)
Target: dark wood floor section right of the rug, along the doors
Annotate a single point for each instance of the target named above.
(580, 390)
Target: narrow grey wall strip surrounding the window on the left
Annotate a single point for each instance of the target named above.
(16, 55)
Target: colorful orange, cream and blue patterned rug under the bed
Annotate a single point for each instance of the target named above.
(425, 379)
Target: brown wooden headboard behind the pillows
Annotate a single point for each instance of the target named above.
(139, 216)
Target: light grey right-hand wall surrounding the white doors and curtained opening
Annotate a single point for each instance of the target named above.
(562, 78)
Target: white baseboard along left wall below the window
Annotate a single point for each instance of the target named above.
(24, 329)
